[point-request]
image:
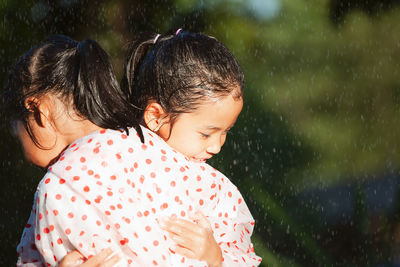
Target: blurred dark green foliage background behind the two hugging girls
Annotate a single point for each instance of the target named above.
(322, 109)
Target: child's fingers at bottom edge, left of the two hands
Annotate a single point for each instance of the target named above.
(75, 259)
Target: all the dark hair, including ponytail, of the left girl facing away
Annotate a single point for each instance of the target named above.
(79, 73)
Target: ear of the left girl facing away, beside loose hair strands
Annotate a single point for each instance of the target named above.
(40, 109)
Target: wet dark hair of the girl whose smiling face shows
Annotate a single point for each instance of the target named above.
(179, 71)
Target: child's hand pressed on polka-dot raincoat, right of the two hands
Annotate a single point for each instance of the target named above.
(194, 239)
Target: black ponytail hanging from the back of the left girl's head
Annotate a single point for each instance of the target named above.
(97, 94)
